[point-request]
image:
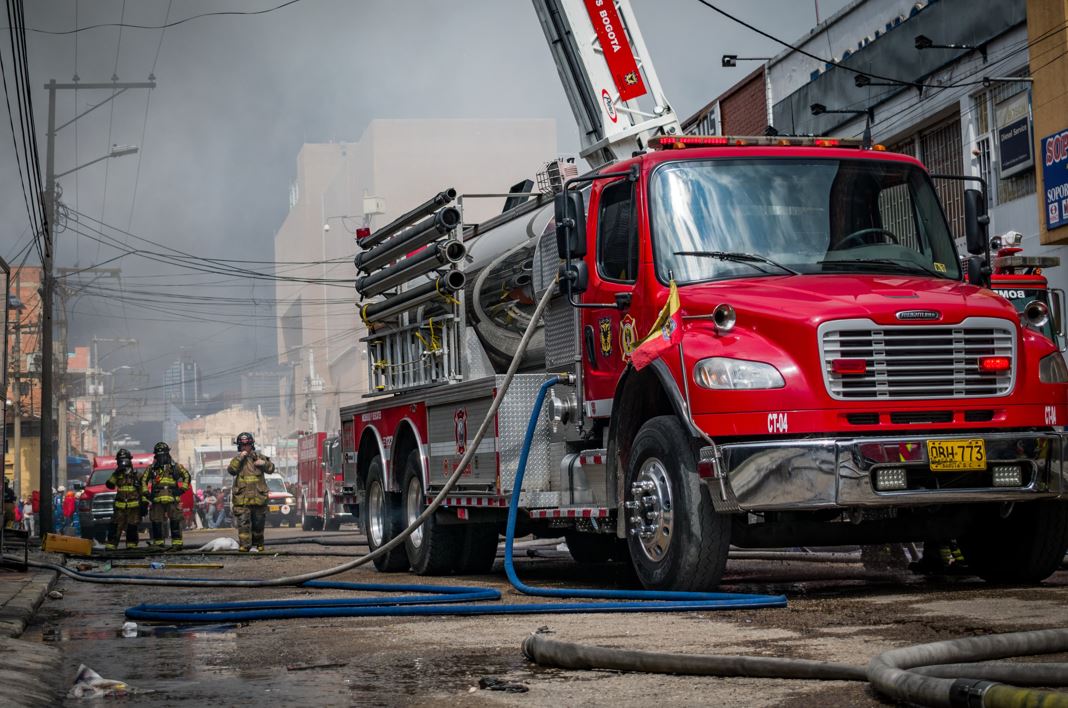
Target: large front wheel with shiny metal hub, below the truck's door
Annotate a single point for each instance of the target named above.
(680, 543)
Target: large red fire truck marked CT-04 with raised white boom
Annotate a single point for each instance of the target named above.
(821, 372)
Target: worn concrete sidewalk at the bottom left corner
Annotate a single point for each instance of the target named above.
(32, 673)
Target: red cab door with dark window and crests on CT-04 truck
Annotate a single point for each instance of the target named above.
(609, 334)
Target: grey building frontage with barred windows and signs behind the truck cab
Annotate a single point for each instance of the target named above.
(968, 87)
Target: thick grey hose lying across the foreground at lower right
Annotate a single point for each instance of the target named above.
(939, 674)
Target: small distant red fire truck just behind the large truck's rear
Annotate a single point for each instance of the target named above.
(322, 491)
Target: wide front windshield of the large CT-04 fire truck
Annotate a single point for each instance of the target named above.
(810, 216)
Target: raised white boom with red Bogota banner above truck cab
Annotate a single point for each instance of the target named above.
(606, 70)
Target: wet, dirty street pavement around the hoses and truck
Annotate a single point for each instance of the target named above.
(839, 612)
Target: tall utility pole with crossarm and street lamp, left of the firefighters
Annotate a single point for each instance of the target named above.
(46, 479)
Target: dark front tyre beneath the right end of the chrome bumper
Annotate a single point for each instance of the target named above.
(1028, 547)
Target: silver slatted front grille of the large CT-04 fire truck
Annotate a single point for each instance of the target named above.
(918, 361)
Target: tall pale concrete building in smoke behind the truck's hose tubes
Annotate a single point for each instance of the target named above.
(396, 166)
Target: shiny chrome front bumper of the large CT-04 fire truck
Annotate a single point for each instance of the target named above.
(839, 474)
